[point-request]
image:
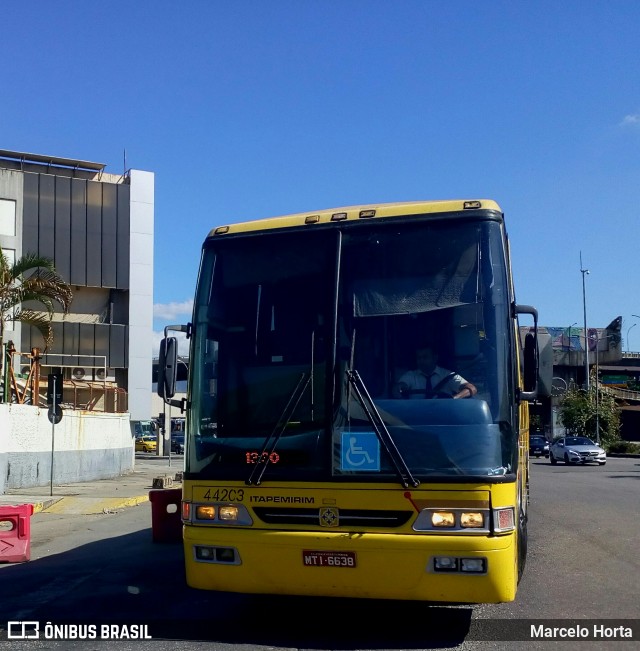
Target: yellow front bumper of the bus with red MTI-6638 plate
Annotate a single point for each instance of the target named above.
(437, 568)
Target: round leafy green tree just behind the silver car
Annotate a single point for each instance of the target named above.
(582, 411)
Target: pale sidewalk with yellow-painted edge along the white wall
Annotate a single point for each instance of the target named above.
(101, 495)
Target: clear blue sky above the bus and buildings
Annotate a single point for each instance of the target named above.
(249, 109)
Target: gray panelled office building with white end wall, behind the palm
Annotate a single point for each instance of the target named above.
(98, 228)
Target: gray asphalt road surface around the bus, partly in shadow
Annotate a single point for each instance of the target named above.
(582, 566)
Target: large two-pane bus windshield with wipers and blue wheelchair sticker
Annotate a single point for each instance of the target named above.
(300, 338)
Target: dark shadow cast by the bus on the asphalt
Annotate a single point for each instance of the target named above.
(131, 580)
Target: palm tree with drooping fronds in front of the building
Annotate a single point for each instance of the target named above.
(31, 278)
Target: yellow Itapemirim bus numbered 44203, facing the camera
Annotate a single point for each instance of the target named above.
(306, 471)
